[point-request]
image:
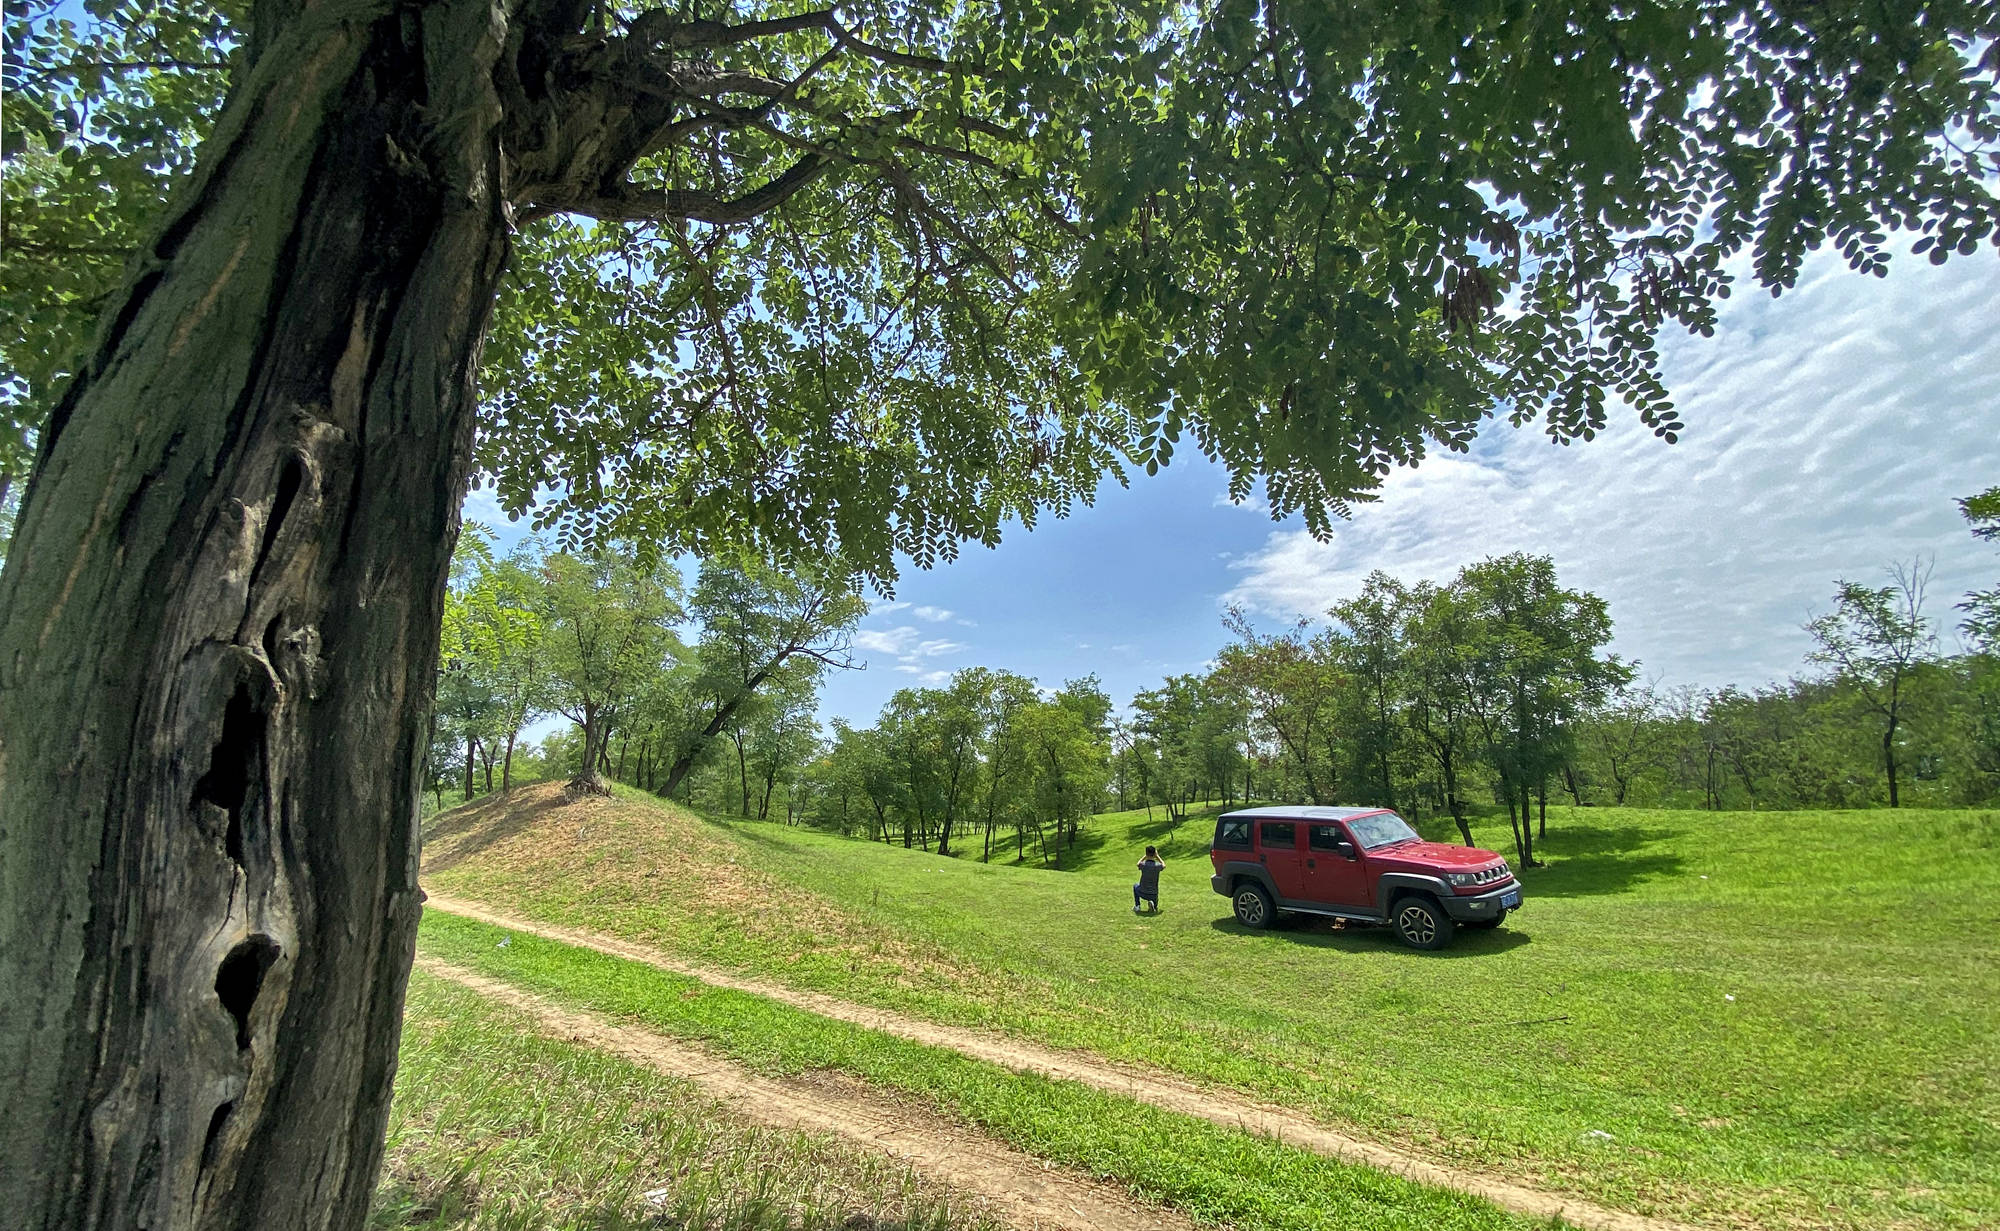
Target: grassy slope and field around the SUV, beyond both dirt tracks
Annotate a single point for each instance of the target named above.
(1849, 1082)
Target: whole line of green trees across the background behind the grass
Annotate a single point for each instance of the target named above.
(1433, 698)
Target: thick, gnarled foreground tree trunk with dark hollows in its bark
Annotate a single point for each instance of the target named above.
(219, 632)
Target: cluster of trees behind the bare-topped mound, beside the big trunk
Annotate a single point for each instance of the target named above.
(667, 688)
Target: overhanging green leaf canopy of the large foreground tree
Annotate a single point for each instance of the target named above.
(891, 275)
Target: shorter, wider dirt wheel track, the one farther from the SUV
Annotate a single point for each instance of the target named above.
(1019, 1188)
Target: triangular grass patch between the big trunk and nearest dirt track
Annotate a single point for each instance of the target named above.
(503, 1130)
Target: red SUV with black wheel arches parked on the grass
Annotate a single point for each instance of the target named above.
(1361, 864)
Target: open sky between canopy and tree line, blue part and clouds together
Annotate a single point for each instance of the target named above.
(1829, 435)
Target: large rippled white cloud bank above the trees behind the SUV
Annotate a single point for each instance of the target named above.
(1829, 435)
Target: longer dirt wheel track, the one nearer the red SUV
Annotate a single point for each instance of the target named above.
(1169, 1094)
